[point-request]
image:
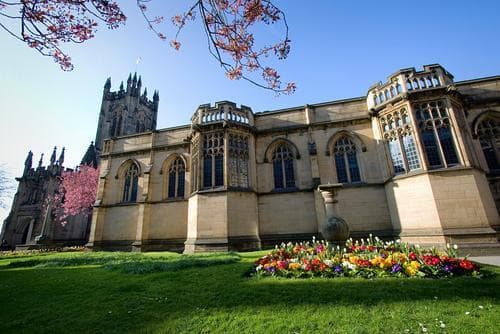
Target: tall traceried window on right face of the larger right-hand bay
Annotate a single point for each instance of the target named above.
(437, 139)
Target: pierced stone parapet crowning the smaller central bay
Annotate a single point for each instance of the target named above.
(223, 111)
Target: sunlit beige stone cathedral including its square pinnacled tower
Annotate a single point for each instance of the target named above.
(416, 158)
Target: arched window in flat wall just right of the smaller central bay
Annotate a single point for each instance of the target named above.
(284, 177)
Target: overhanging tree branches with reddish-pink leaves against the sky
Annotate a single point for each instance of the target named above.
(229, 25)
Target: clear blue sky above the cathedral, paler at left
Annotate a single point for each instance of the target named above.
(339, 49)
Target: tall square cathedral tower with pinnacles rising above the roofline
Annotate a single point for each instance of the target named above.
(126, 111)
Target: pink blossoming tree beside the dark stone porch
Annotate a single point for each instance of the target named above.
(76, 194)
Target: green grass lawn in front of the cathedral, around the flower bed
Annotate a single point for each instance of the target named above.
(170, 293)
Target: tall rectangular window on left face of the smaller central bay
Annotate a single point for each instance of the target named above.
(213, 160)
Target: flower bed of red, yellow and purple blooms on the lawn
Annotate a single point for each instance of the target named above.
(366, 258)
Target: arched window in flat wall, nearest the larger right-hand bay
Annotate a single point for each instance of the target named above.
(346, 162)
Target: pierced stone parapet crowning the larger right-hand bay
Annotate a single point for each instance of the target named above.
(407, 81)
